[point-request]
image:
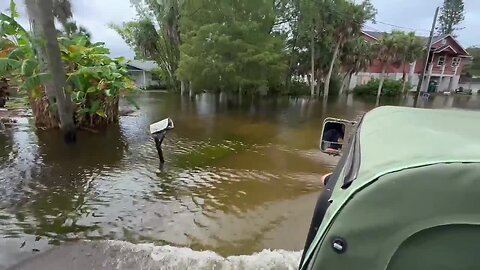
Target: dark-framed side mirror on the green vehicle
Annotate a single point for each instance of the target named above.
(336, 134)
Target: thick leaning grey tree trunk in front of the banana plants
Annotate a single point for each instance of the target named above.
(57, 70)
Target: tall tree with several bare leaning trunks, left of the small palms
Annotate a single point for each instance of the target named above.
(325, 27)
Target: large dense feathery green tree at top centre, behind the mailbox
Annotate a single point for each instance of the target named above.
(230, 47)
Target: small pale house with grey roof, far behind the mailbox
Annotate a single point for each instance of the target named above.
(142, 73)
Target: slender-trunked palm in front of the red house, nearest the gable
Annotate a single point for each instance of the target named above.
(388, 53)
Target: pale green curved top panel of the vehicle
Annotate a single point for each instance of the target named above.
(396, 138)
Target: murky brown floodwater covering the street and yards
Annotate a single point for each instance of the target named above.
(237, 191)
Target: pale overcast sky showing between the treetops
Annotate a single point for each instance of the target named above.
(415, 14)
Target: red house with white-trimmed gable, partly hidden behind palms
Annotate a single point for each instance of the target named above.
(446, 61)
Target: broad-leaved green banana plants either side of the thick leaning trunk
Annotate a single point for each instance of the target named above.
(95, 81)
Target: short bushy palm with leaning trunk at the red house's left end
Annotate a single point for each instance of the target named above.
(357, 55)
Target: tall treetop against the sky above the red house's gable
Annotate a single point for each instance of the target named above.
(452, 14)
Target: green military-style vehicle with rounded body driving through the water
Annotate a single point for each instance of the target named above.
(405, 195)
